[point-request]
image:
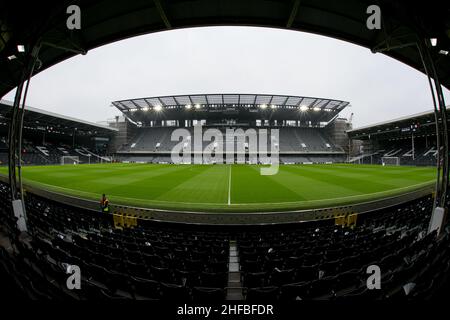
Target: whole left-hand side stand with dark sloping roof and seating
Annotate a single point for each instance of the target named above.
(48, 137)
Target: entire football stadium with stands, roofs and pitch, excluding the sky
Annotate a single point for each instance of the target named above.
(222, 196)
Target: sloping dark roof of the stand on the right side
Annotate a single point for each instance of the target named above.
(423, 121)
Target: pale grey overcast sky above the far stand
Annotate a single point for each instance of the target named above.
(231, 60)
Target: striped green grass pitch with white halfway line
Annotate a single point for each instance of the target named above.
(229, 187)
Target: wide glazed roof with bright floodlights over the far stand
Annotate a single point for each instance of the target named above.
(234, 105)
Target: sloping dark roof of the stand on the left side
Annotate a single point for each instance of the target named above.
(40, 117)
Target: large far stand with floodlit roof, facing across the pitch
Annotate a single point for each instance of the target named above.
(309, 130)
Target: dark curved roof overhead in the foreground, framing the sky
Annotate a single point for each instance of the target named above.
(403, 24)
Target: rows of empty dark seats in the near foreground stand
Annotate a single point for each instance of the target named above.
(304, 262)
